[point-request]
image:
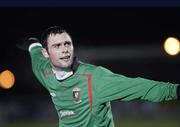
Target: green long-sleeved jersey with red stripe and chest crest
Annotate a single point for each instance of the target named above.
(83, 99)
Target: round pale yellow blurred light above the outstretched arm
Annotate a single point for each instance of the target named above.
(172, 46)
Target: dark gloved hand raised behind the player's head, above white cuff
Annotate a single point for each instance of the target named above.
(25, 42)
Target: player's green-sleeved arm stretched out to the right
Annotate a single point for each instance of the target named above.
(110, 86)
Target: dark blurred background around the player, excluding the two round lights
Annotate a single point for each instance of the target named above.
(126, 40)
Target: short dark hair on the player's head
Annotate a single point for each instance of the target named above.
(49, 31)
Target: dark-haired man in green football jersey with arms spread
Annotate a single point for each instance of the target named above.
(82, 92)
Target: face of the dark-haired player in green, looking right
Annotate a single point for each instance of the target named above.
(60, 50)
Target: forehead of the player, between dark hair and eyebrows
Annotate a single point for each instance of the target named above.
(58, 38)
